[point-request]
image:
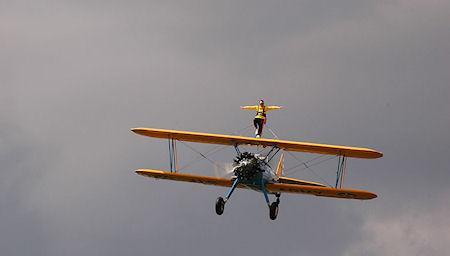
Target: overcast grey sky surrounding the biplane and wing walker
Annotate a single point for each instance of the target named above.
(75, 76)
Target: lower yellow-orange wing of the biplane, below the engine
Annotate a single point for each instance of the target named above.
(274, 188)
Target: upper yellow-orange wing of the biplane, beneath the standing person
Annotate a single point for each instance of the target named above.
(239, 140)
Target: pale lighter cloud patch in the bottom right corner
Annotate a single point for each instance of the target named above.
(413, 230)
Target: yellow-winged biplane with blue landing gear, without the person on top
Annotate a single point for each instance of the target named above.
(254, 171)
